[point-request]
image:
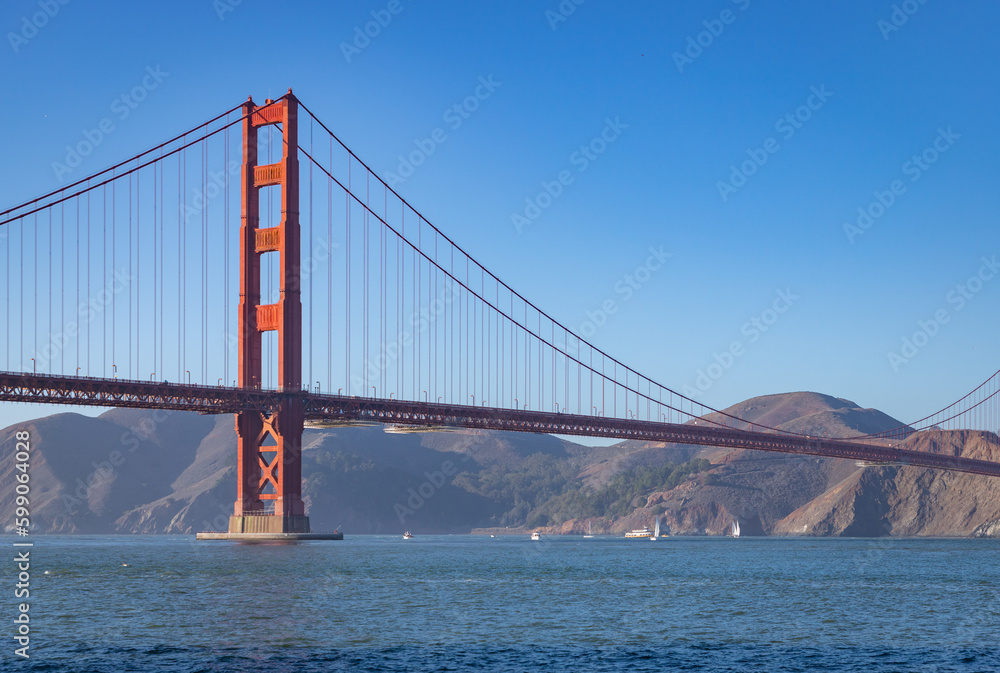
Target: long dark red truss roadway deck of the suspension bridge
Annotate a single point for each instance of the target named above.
(103, 392)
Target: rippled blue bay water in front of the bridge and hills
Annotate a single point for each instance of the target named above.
(465, 603)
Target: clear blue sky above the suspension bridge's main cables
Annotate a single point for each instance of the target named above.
(740, 138)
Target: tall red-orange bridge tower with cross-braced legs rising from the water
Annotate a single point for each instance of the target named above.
(269, 466)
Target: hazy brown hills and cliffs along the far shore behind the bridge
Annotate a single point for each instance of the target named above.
(131, 471)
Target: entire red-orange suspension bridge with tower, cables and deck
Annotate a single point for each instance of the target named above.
(314, 292)
